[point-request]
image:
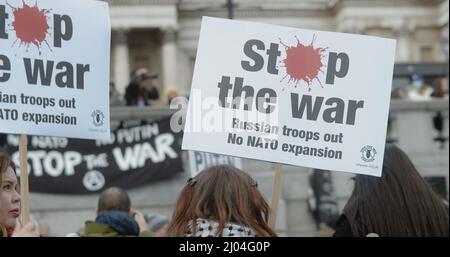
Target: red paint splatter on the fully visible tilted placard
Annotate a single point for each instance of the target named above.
(303, 62)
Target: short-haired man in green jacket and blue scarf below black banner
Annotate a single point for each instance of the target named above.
(115, 217)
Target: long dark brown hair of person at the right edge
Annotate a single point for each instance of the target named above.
(400, 203)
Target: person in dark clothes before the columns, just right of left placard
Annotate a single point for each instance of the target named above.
(142, 88)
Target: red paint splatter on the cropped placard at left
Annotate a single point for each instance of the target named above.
(30, 25)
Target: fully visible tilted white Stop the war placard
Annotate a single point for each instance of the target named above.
(300, 97)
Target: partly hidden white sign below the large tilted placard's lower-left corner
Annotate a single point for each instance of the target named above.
(200, 160)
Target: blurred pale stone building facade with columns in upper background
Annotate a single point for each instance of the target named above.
(162, 35)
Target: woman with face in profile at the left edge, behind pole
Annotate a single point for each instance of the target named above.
(10, 202)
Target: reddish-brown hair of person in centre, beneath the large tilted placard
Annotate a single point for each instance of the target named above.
(223, 194)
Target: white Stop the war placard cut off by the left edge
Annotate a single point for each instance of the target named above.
(54, 68)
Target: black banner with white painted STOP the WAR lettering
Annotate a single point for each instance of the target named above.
(133, 156)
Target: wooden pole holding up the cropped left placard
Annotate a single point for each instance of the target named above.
(24, 193)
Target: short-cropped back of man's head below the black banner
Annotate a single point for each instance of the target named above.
(113, 199)
